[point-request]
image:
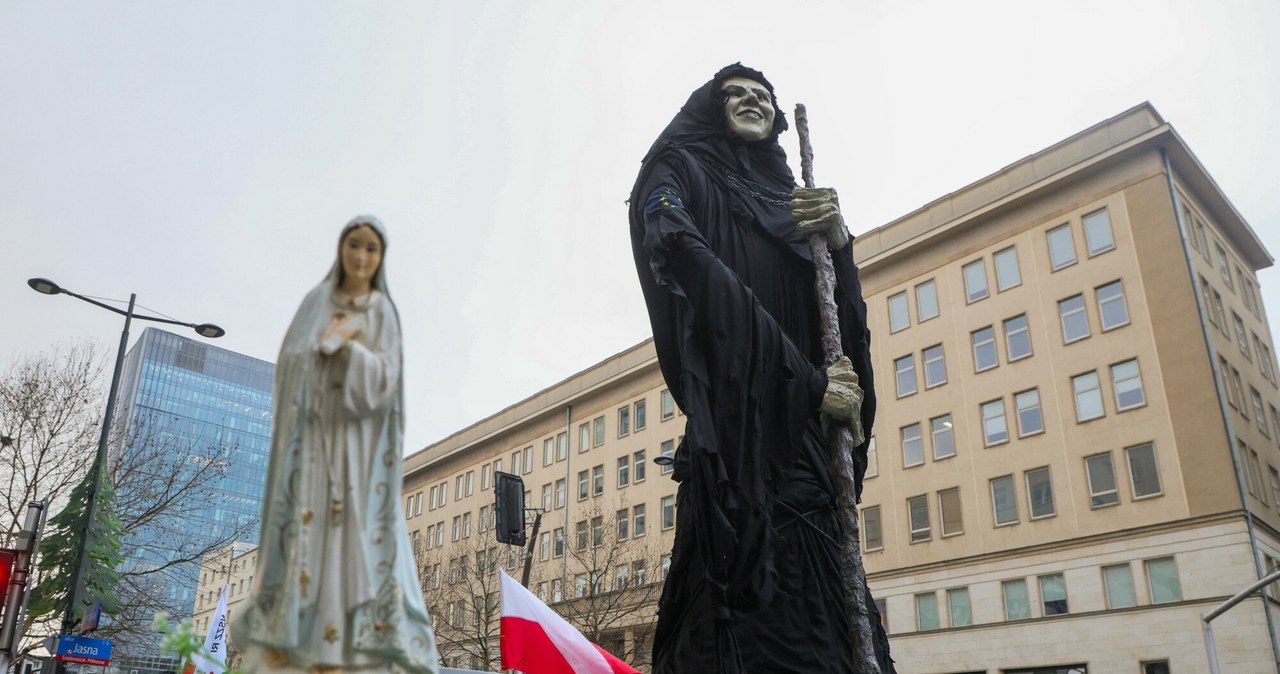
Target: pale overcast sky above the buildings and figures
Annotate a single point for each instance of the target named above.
(205, 155)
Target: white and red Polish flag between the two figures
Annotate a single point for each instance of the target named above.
(538, 641)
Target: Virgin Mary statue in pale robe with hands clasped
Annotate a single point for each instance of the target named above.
(337, 586)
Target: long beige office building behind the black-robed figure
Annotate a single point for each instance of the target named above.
(1077, 442)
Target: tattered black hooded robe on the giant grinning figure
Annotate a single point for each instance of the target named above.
(755, 583)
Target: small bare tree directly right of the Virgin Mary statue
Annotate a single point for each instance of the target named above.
(461, 588)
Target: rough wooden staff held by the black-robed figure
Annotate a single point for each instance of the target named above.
(853, 579)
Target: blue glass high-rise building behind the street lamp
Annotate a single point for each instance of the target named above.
(189, 414)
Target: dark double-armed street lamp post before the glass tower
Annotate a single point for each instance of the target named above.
(208, 331)
